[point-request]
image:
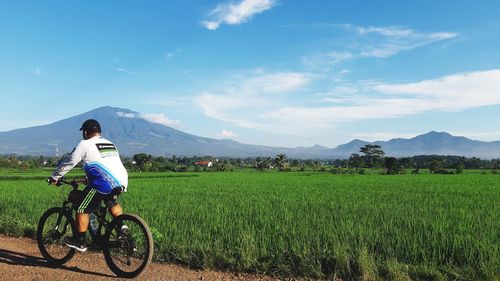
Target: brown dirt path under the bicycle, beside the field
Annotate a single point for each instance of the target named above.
(20, 259)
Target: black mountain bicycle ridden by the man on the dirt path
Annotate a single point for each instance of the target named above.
(127, 255)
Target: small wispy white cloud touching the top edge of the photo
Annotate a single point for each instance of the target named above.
(234, 14)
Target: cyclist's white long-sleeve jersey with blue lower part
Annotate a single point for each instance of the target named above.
(101, 163)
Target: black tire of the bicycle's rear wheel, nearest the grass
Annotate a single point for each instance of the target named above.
(149, 247)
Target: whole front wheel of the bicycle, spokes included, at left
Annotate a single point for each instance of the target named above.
(54, 225)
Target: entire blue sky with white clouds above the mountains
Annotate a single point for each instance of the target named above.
(269, 72)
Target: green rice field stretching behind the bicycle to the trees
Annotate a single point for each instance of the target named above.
(320, 225)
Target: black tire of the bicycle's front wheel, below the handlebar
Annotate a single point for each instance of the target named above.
(68, 252)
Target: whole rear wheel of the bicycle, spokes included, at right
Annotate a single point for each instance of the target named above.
(128, 254)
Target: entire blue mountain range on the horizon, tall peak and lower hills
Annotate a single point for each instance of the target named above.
(133, 134)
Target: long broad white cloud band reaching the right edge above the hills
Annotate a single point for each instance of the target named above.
(272, 114)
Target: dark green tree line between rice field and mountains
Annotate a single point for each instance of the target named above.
(369, 157)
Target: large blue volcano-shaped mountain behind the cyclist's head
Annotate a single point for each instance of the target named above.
(133, 134)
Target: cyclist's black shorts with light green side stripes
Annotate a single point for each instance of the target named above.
(89, 200)
